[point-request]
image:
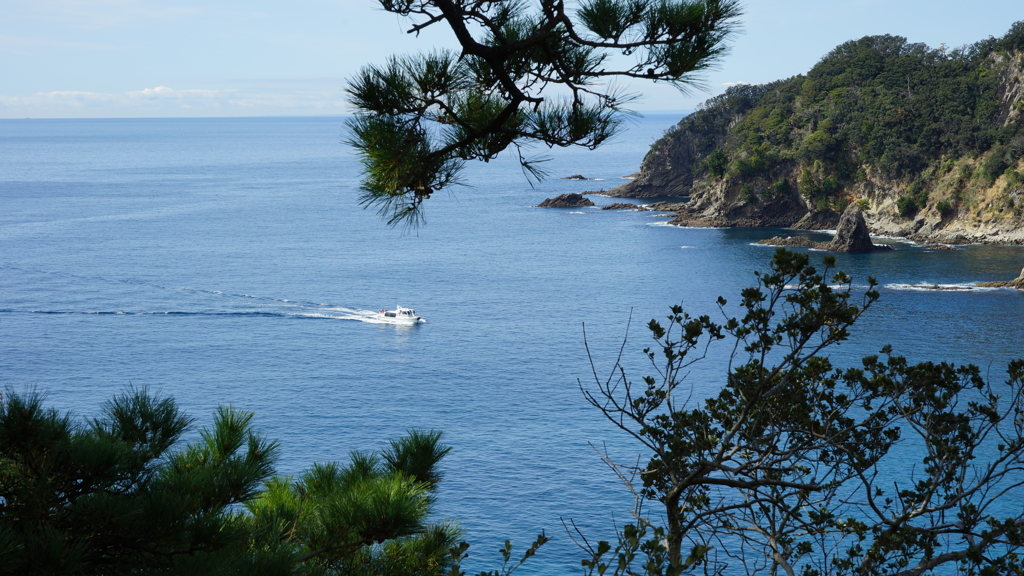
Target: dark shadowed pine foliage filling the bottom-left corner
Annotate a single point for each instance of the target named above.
(110, 496)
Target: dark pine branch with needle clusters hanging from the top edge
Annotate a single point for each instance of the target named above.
(526, 75)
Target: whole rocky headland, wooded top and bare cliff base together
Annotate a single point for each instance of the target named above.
(800, 151)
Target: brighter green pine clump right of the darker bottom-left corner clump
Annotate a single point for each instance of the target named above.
(367, 518)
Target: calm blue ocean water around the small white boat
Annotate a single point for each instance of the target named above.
(228, 262)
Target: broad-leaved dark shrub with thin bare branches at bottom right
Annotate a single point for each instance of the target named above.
(797, 467)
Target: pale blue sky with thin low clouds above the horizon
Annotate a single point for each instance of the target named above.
(155, 59)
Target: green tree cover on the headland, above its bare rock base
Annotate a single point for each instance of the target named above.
(941, 128)
